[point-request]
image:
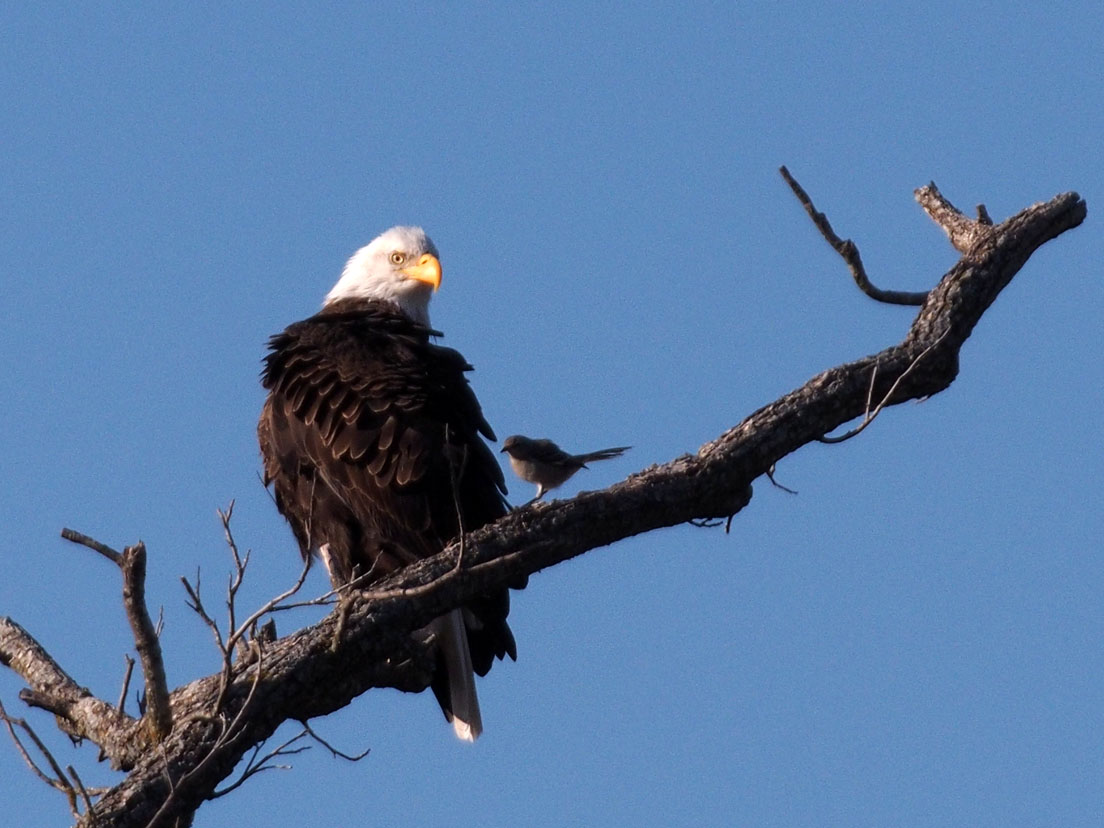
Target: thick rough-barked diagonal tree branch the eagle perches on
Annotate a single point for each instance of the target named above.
(367, 643)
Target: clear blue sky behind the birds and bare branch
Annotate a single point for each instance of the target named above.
(914, 640)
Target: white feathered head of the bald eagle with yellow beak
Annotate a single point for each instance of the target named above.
(401, 267)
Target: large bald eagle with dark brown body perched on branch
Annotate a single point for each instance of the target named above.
(373, 441)
